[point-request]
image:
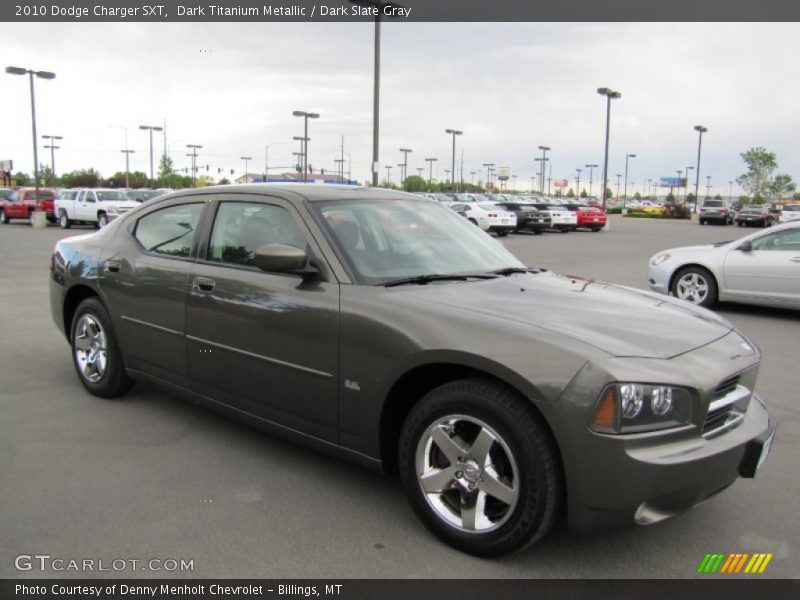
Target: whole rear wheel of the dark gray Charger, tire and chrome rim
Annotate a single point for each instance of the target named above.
(95, 351)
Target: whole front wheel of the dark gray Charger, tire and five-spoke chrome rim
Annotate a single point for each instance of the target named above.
(518, 461)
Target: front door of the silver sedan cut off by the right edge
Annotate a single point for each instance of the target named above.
(768, 270)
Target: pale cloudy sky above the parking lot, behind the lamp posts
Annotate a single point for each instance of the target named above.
(510, 87)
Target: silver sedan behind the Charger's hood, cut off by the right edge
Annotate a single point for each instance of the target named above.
(760, 268)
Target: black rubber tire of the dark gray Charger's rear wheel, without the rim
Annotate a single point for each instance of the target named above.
(115, 382)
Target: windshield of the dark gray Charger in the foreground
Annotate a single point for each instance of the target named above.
(386, 240)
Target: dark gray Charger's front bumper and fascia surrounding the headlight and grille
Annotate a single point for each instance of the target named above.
(618, 480)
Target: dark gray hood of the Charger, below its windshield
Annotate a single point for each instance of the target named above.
(618, 320)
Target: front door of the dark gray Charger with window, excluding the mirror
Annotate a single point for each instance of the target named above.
(266, 343)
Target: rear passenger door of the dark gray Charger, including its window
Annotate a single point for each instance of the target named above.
(144, 274)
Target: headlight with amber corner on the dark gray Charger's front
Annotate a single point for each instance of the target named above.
(639, 407)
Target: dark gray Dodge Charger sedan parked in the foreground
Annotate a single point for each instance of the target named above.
(387, 329)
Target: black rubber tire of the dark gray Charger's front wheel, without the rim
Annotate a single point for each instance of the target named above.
(527, 523)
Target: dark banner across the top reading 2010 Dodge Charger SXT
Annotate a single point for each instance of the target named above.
(401, 10)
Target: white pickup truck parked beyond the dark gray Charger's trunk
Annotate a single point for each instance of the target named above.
(91, 205)
